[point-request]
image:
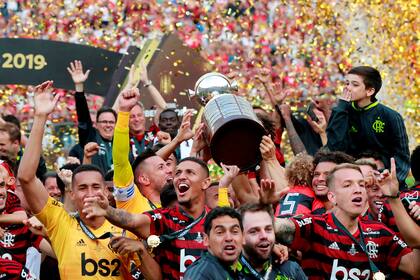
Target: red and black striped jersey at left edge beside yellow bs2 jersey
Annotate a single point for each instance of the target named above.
(16, 240)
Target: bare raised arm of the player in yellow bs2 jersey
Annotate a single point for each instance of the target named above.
(33, 189)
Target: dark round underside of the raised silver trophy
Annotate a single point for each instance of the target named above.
(237, 143)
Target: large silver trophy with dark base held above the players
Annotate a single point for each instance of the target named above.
(233, 131)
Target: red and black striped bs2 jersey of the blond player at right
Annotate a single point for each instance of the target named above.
(328, 253)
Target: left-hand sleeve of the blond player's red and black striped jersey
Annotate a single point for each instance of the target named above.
(303, 232)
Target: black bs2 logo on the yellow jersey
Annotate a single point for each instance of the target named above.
(104, 267)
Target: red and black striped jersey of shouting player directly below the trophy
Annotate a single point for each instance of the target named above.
(176, 255)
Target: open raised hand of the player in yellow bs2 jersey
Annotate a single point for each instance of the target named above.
(44, 100)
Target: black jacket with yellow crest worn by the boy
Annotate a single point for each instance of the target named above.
(375, 128)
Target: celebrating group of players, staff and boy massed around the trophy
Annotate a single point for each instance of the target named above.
(137, 202)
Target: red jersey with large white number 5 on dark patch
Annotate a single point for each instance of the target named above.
(300, 200)
